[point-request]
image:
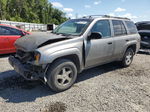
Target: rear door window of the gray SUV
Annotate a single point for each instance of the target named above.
(119, 28)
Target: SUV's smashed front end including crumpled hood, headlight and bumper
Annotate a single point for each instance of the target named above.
(25, 61)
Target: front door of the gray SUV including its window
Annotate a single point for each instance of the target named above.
(99, 51)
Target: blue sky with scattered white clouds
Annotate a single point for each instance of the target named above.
(137, 10)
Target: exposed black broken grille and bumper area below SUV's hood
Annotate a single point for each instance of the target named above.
(23, 63)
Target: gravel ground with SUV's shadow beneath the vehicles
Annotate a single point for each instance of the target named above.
(107, 88)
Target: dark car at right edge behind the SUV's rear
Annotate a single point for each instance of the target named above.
(144, 31)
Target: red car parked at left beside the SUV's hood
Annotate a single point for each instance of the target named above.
(8, 35)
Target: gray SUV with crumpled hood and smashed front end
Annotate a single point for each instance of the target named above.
(74, 46)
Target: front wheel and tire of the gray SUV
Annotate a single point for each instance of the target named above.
(61, 75)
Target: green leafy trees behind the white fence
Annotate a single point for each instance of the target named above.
(37, 11)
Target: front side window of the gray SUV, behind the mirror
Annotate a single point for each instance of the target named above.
(103, 27)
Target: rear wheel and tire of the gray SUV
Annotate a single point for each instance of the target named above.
(128, 57)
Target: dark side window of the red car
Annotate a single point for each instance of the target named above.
(9, 31)
